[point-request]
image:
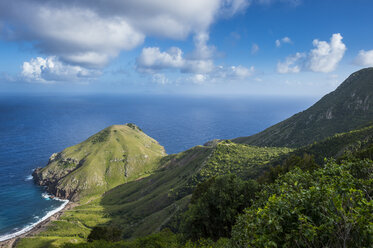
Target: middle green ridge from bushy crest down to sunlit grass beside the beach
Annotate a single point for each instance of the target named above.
(148, 204)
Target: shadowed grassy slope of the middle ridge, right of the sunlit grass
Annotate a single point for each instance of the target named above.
(144, 206)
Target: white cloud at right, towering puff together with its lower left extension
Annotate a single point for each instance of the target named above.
(325, 57)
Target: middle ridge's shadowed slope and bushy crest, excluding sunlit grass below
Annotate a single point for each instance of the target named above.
(144, 206)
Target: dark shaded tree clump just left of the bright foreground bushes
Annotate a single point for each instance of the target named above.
(215, 205)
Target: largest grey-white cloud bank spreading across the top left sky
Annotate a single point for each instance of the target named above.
(89, 33)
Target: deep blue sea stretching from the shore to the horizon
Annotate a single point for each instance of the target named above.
(34, 127)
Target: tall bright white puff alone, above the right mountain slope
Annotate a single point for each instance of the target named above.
(326, 56)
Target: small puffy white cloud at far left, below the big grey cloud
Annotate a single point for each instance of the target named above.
(50, 69)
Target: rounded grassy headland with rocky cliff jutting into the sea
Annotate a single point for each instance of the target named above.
(116, 155)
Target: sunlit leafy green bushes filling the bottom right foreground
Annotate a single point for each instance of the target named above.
(328, 207)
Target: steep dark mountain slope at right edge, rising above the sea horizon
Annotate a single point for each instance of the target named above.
(349, 107)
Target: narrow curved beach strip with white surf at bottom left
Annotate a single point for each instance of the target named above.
(37, 228)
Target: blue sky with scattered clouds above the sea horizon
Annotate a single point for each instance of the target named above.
(197, 47)
